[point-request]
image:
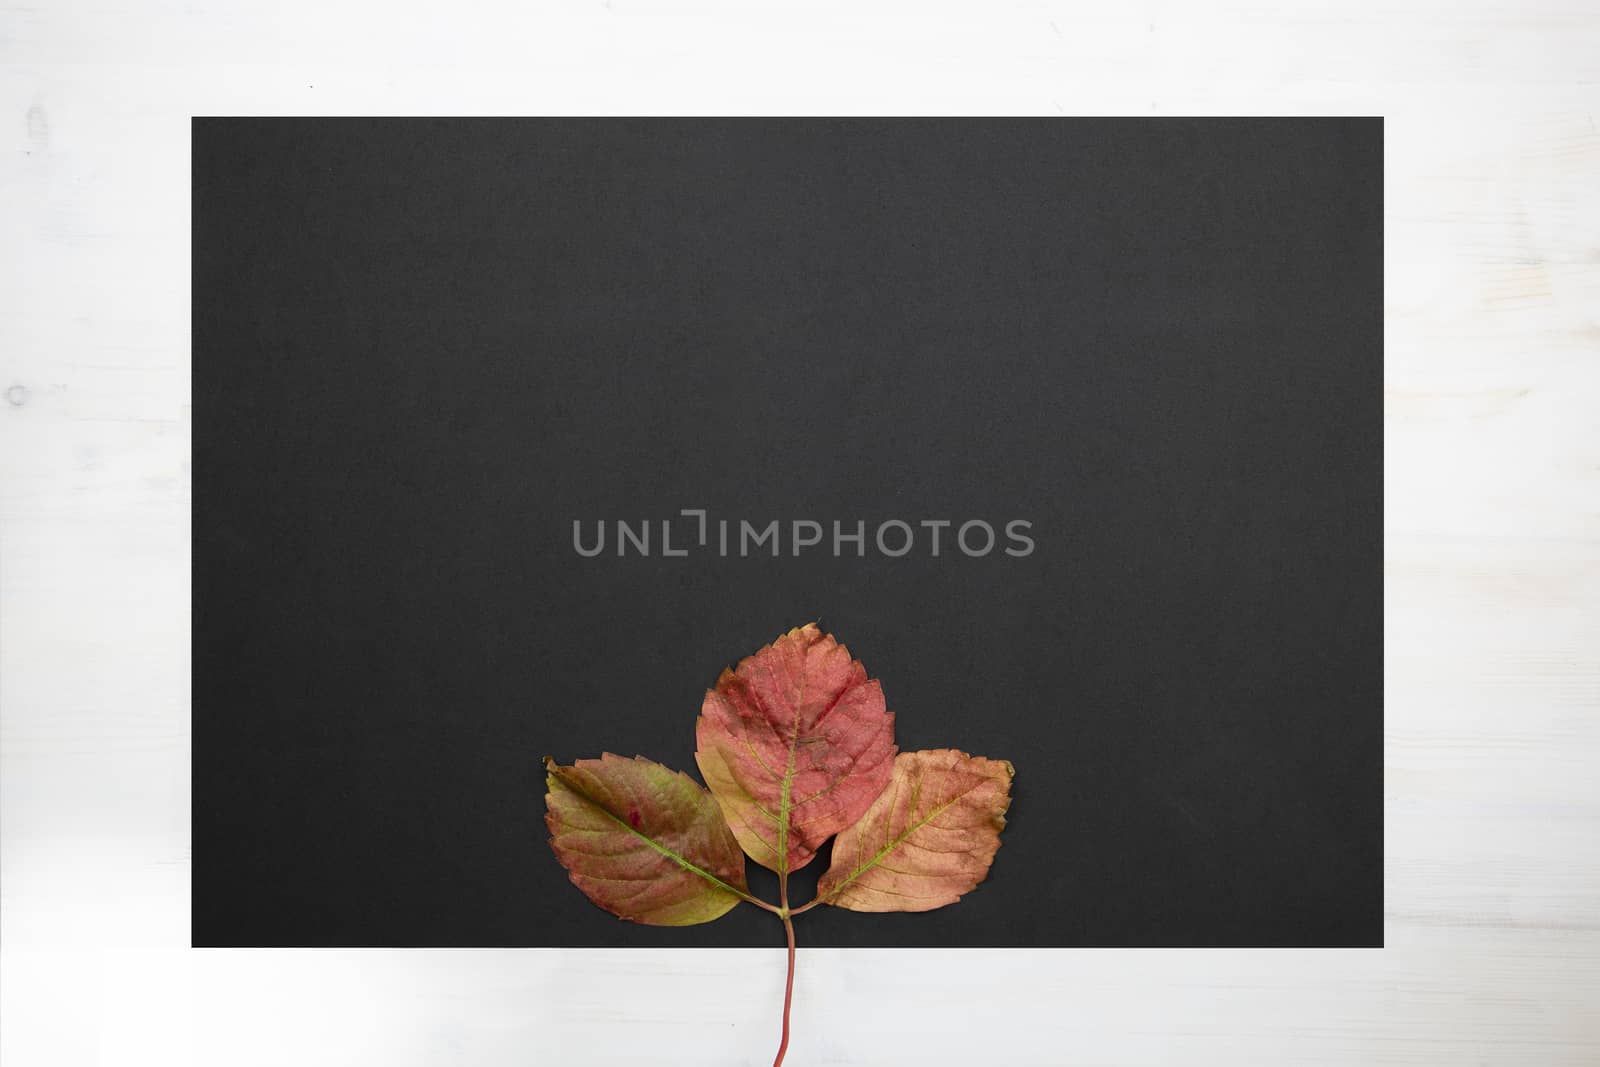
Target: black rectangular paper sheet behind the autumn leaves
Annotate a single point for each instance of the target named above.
(425, 348)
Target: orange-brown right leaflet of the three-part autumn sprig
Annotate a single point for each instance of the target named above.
(927, 841)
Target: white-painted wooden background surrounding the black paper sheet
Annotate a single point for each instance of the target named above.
(1492, 494)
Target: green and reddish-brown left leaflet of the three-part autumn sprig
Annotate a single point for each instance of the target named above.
(644, 842)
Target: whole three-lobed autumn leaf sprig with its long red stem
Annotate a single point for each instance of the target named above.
(796, 746)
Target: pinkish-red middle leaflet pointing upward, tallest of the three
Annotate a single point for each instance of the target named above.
(796, 745)
